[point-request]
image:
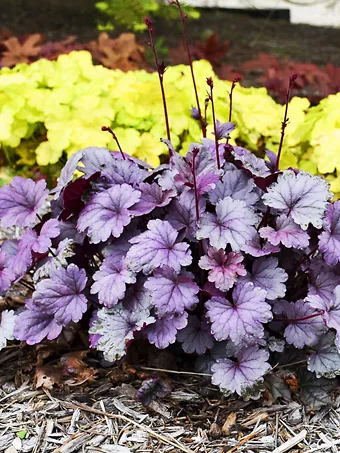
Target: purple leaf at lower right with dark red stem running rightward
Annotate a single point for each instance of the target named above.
(302, 332)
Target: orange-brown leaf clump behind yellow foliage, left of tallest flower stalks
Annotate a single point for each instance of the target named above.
(121, 53)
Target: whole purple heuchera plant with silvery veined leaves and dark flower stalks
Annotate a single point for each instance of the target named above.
(218, 251)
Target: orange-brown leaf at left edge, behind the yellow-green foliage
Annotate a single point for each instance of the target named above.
(18, 52)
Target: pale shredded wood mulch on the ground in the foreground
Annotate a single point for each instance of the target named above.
(103, 416)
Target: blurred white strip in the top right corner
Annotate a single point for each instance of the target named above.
(313, 12)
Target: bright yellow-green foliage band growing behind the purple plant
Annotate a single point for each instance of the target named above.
(48, 108)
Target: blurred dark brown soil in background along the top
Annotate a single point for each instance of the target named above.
(248, 35)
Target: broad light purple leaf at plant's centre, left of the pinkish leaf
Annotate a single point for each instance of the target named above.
(157, 247)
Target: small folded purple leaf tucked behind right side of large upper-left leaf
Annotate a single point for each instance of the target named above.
(152, 196)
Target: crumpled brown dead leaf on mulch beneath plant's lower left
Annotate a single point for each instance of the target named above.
(73, 365)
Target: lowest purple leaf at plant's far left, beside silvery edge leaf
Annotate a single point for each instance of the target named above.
(33, 325)
